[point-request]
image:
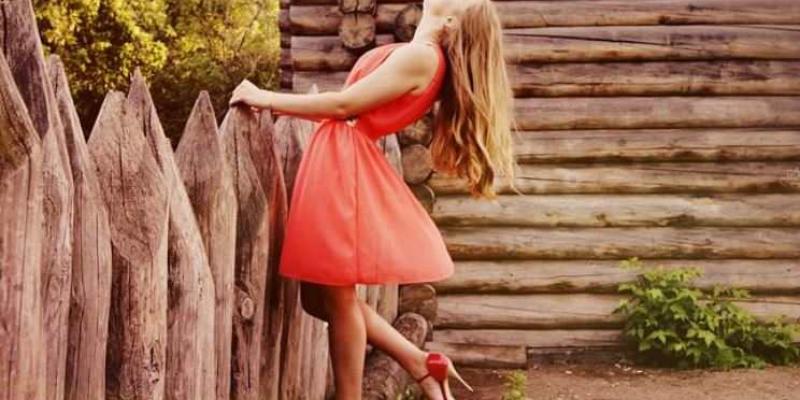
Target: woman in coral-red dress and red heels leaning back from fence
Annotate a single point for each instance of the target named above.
(352, 220)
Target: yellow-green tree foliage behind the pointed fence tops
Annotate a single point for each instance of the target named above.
(181, 46)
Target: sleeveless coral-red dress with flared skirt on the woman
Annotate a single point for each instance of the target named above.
(352, 219)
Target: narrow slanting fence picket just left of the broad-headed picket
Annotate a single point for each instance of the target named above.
(91, 258)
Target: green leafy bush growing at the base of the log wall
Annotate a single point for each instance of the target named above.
(671, 323)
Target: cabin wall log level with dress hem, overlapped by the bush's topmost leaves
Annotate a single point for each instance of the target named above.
(778, 276)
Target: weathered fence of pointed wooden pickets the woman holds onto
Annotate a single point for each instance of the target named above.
(129, 271)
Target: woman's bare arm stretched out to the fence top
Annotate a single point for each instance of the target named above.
(408, 67)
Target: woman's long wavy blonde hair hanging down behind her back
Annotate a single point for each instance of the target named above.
(475, 118)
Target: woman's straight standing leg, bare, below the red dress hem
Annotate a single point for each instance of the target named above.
(348, 340)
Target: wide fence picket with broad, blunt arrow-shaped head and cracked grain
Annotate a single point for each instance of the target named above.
(135, 194)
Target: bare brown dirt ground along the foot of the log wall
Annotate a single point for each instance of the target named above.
(624, 382)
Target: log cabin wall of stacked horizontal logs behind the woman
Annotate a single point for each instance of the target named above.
(661, 129)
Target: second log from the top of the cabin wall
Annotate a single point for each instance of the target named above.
(574, 44)
